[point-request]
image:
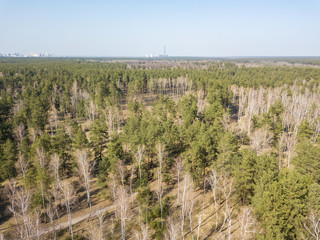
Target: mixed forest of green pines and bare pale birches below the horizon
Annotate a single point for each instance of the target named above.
(163, 149)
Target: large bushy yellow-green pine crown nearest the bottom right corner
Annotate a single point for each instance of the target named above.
(281, 204)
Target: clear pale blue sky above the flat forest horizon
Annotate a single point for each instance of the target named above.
(132, 28)
